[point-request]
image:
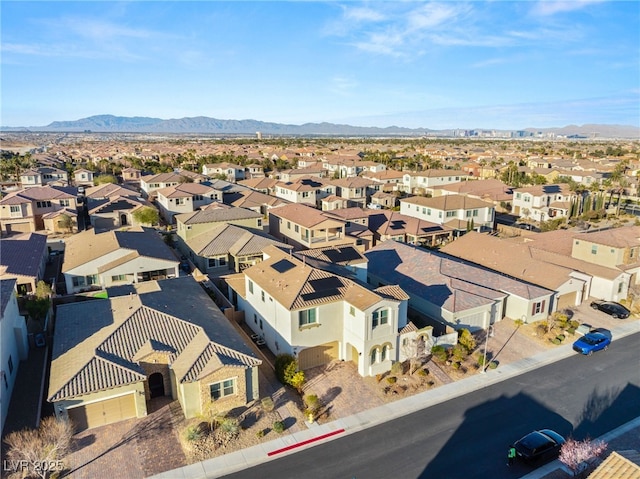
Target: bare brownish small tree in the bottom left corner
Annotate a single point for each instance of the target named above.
(47, 446)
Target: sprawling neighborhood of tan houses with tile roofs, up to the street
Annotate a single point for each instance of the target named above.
(145, 285)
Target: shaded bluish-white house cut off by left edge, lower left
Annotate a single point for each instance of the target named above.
(14, 345)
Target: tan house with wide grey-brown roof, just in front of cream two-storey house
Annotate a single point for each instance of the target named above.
(189, 225)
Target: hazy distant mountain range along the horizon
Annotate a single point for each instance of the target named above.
(203, 124)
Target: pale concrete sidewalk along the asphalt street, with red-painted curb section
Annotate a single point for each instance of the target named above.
(298, 440)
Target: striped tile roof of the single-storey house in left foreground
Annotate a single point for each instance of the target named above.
(98, 344)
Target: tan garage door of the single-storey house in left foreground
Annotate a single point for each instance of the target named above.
(101, 413)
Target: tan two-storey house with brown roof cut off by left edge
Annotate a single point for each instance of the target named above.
(23, 211)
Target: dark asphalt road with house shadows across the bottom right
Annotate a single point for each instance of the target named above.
(467, 437)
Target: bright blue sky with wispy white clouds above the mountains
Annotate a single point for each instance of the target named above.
(496, 64)
